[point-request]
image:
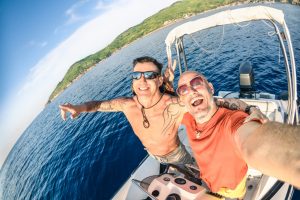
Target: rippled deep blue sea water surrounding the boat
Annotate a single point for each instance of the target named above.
(92, 156)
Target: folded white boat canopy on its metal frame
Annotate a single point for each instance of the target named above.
(236, 16)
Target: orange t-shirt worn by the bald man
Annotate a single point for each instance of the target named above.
(215, 150)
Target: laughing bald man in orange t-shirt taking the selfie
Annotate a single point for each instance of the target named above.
(224, 144)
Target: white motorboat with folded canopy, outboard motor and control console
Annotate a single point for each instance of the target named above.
(150, 181)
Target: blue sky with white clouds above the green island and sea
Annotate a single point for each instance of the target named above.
(40, 40)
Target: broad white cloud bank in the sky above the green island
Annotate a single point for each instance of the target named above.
(44, 76)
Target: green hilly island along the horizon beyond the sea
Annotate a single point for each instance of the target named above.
(179, 10)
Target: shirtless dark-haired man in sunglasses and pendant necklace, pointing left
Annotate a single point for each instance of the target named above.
(153, 114)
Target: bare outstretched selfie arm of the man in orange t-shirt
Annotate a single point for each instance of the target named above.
(273, 148)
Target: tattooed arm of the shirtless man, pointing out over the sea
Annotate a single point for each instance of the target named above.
(114, 105)
